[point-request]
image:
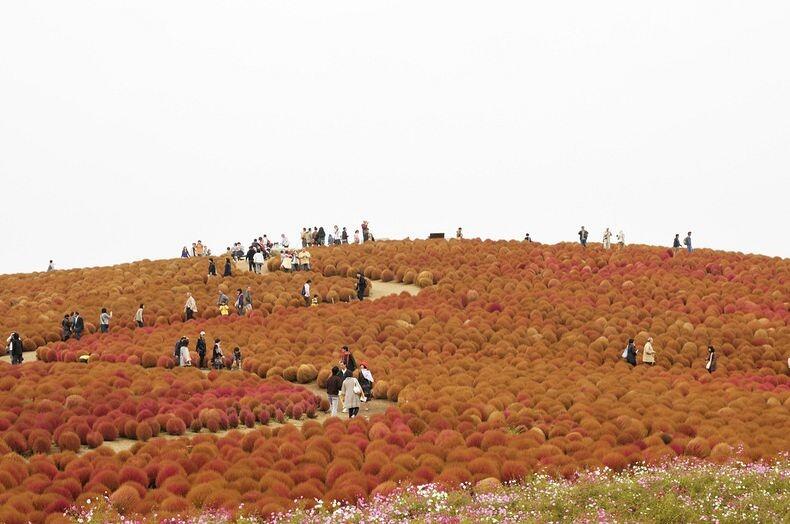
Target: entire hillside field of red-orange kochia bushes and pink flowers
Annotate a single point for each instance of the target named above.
(505, 366)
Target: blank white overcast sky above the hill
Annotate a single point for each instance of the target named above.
(129, 129)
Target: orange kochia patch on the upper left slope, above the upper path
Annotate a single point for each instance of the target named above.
(34, 304)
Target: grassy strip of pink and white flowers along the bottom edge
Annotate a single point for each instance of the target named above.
(680, 492)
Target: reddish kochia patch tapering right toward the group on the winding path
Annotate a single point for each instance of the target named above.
(72, 405)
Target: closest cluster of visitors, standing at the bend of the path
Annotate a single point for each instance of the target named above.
(345, 389)
